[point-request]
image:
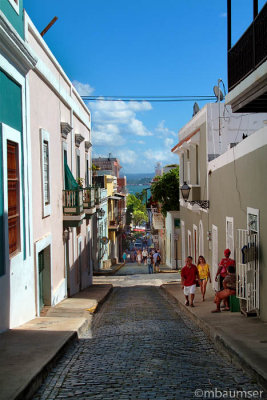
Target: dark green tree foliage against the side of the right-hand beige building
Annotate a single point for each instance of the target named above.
(166, 191)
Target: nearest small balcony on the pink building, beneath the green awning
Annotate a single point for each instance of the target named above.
(73, 212)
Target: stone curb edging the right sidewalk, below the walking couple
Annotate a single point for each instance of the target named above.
(223, 345)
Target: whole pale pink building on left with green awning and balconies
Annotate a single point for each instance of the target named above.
(60, 125)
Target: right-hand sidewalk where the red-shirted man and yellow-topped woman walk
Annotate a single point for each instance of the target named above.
(243, 340)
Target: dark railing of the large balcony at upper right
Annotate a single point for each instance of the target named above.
(249, 52)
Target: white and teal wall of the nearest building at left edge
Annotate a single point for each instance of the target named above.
(16, 270)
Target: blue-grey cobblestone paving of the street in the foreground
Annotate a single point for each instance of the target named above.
(142, 348)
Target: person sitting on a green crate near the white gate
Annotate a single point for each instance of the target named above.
(229, 289)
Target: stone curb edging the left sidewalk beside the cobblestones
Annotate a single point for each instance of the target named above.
(31, 387)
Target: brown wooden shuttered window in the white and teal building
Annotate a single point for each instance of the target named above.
(13, 197)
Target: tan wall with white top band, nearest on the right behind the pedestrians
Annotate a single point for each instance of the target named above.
(237, 183)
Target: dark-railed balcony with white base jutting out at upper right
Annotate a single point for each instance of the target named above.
(244, 58)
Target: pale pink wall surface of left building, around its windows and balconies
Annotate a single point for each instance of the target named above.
(53, 101)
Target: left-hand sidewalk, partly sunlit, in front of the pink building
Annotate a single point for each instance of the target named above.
(27, 352)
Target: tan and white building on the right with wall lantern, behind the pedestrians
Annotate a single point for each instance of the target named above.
(223, 165)
